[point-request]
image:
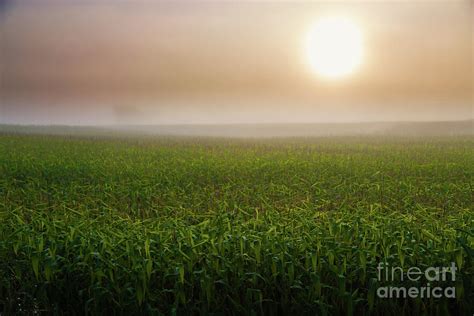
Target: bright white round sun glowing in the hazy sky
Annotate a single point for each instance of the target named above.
(334, 47)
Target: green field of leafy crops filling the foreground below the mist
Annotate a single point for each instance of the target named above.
(231, 226)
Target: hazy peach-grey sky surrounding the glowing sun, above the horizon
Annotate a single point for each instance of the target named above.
(121, 61)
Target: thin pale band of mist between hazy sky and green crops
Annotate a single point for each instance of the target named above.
(411, 129)
